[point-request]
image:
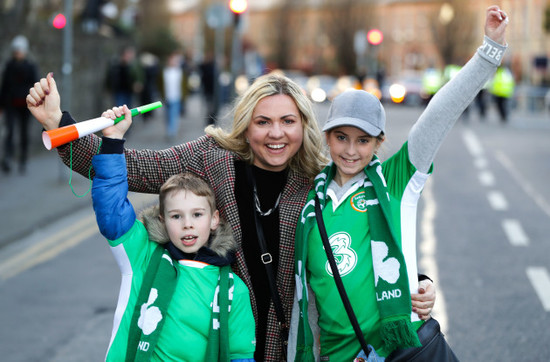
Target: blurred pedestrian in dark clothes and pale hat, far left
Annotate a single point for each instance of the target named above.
(19, 74)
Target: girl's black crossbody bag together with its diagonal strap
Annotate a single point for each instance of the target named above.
(434, 346)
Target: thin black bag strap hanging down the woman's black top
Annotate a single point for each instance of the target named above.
(267, 260)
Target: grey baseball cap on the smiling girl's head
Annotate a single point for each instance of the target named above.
(357, 108)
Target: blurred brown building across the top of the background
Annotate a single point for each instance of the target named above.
(317, 36)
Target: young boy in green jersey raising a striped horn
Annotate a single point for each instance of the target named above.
(178, 299)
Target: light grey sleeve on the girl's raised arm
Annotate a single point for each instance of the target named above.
(433, 125)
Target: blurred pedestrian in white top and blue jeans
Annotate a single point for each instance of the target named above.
(172, 82)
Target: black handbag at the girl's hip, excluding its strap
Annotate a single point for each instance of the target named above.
(434, 346)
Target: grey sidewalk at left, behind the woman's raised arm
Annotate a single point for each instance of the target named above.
(43, 194)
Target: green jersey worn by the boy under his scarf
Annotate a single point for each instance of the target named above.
(187, 323)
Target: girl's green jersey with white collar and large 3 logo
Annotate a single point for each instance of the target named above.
(348, 230)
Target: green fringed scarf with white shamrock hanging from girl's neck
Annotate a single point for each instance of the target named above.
(396, 328)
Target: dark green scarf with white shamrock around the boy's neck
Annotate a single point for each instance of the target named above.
(153, 301)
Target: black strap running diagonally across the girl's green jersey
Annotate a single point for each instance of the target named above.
(337, 278)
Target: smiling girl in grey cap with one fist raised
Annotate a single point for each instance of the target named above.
(368, 208)
